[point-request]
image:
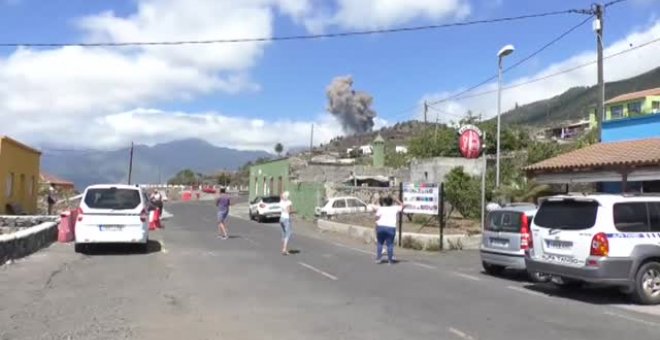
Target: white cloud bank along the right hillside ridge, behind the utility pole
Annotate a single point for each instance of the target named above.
(621, 67)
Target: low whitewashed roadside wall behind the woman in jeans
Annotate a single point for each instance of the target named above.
(425, 241)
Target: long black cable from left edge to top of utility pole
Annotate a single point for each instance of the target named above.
(293, 37)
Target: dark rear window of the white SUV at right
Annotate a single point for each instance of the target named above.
(567, 214)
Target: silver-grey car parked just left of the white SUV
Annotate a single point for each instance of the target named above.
(505, 238)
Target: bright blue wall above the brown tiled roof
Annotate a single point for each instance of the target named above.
(631, 128)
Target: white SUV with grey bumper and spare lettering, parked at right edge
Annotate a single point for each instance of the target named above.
(605, 239)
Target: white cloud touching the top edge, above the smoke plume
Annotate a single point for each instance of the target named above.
(378, 14)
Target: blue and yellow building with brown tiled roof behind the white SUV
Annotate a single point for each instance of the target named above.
(628, 157)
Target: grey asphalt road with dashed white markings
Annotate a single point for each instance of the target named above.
(193, 285)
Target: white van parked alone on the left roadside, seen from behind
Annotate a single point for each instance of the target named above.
(114, 213)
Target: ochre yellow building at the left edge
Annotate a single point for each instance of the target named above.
(19, 176)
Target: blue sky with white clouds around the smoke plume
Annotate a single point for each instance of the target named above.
(250, 96)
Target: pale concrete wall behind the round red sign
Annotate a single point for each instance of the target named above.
(434, 170)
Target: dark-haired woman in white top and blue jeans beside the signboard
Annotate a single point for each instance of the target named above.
(386, 222)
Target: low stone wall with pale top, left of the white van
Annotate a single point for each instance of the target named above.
(27, 241)
